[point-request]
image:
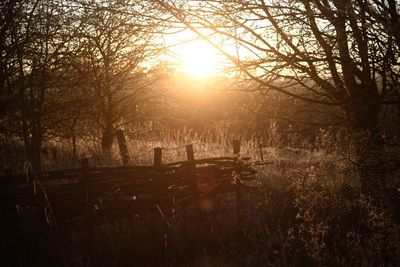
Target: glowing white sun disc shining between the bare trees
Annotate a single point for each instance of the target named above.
(198, 59)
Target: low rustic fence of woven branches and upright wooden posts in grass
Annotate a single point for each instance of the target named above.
(74, 195)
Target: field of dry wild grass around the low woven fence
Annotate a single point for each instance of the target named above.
(304, 207)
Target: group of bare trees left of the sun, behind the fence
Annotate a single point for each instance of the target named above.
(67, 67)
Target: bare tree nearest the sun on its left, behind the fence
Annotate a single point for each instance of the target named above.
(115, 42)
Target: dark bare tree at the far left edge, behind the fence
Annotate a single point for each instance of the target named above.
(34, 41)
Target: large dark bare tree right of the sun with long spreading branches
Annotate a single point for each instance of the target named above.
(331, 53)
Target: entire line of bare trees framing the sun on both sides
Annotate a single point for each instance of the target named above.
(66, 66)
